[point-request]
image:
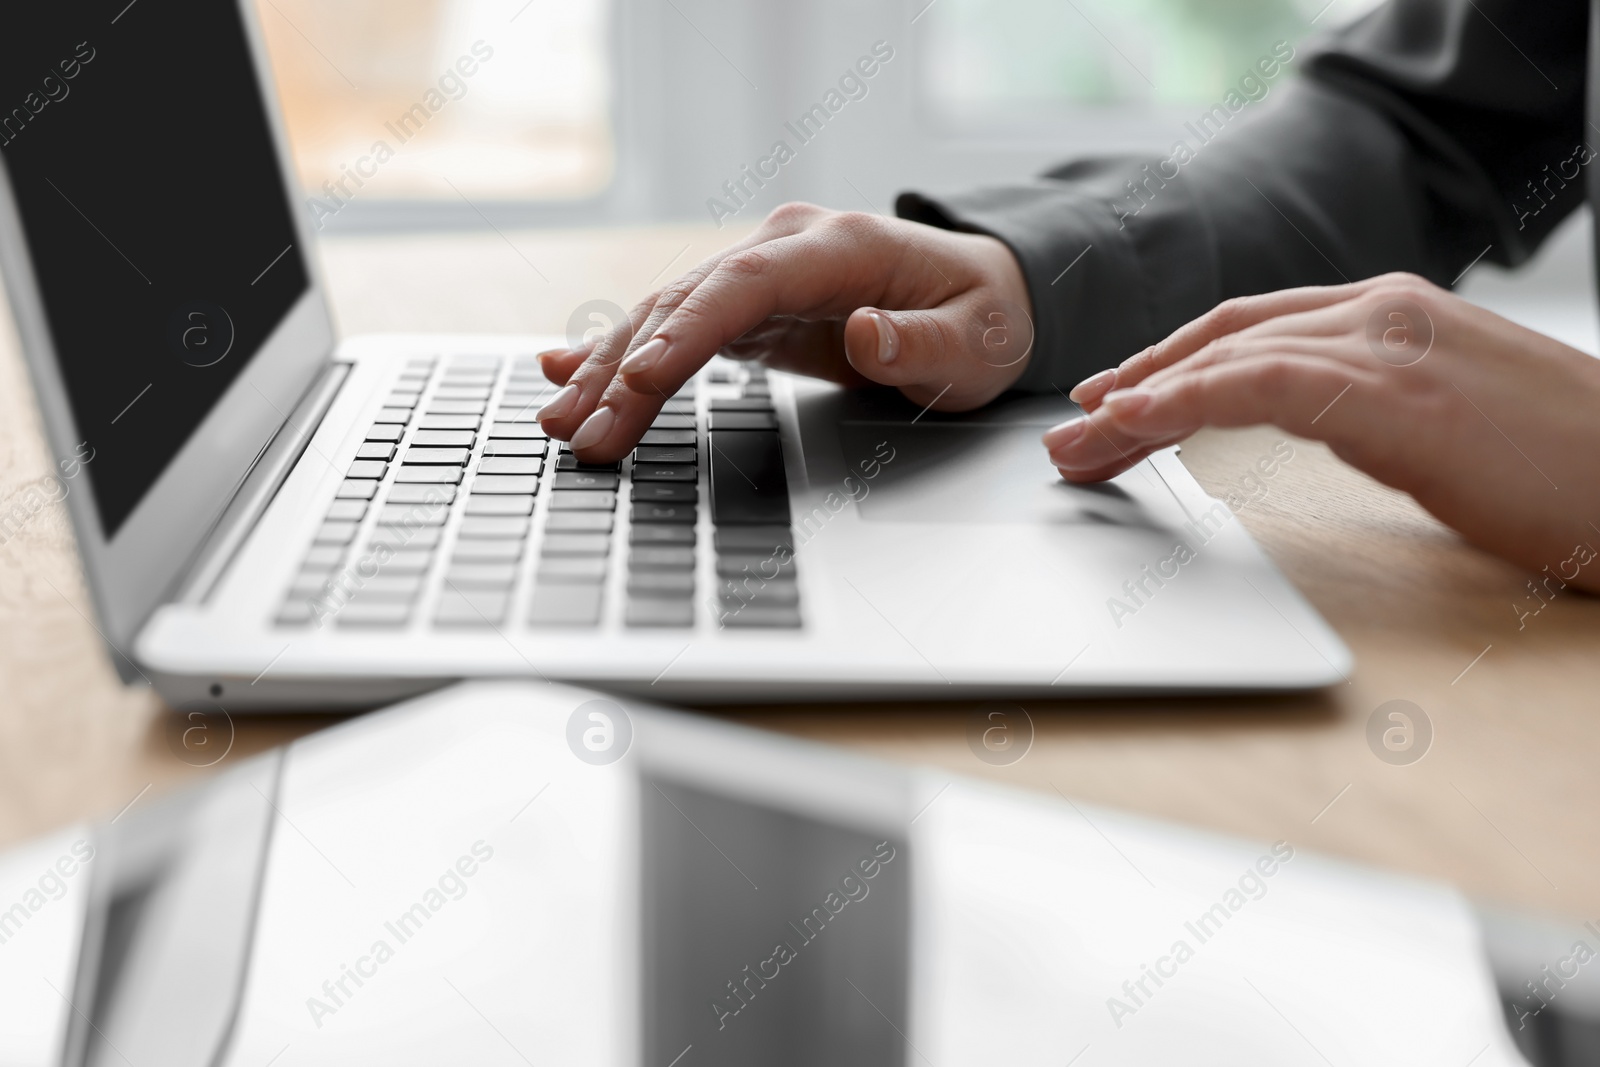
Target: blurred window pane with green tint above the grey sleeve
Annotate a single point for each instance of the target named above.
(988, 60)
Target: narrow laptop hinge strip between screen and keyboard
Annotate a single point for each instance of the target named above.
(260, 486)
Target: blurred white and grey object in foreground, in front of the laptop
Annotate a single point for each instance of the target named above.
(524, 874)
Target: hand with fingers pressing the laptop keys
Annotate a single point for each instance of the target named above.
(846, 297)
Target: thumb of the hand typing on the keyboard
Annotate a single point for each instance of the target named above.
(974, 346)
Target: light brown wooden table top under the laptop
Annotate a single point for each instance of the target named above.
(1503, 804)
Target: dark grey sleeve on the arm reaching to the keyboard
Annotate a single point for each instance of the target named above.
(1414, 140)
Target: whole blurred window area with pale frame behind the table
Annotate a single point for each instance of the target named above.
(638, 111)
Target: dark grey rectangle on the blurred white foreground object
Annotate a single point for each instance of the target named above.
(770, 938)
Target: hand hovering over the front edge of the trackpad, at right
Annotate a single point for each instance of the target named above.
(1492, 428)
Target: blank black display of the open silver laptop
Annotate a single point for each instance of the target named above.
(137, 143)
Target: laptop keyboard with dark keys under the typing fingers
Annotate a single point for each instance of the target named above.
(460, 513)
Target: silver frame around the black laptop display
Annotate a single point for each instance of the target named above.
(137, 570)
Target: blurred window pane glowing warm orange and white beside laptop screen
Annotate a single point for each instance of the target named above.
(446, 100)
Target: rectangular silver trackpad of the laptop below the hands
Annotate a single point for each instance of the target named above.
(964, 473)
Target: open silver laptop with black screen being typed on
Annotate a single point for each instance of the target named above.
(273, 518)
